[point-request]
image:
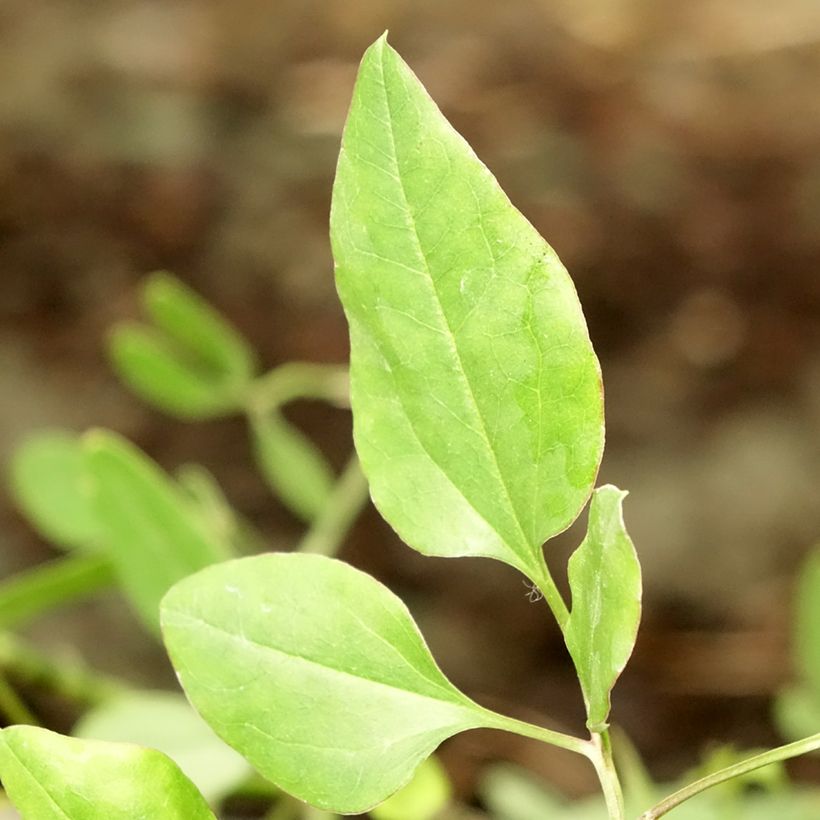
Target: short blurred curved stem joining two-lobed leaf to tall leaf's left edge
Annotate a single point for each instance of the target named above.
(299, 380)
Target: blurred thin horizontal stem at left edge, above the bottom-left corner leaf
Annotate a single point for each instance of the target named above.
(69, 679)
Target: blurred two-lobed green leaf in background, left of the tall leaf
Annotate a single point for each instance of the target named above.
(191, 362)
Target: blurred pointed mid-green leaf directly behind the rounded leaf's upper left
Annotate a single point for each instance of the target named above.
(154, 534)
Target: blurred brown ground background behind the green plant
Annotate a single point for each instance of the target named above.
(669, 152)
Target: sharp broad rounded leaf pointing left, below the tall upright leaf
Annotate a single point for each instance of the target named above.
(316, 673)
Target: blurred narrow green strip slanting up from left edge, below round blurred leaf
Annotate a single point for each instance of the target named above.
(35, 591)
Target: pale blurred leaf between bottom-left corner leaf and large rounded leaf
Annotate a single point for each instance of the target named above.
(166, 721)
